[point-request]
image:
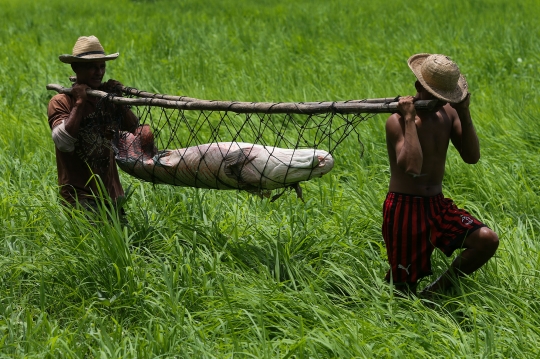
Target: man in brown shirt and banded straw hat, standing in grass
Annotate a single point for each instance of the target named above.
(83, 131)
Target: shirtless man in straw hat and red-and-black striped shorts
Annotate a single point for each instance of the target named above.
(417, 218)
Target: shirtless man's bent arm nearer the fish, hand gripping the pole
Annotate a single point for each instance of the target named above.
(403, 137)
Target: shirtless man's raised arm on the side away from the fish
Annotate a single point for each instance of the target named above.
(464, 137)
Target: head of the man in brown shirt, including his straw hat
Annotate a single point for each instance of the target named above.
(88, 60)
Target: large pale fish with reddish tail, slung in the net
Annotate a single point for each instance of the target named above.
(222, 165)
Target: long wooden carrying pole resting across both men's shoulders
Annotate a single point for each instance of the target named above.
(308, 108)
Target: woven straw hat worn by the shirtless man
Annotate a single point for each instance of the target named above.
(440, 76)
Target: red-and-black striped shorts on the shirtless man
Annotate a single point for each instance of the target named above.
(414, 226)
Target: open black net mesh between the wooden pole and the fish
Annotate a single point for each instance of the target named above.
(175, 128)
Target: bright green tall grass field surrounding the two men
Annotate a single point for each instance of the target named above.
(222, 274)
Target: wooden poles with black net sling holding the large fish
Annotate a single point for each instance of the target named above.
(257, 147)
